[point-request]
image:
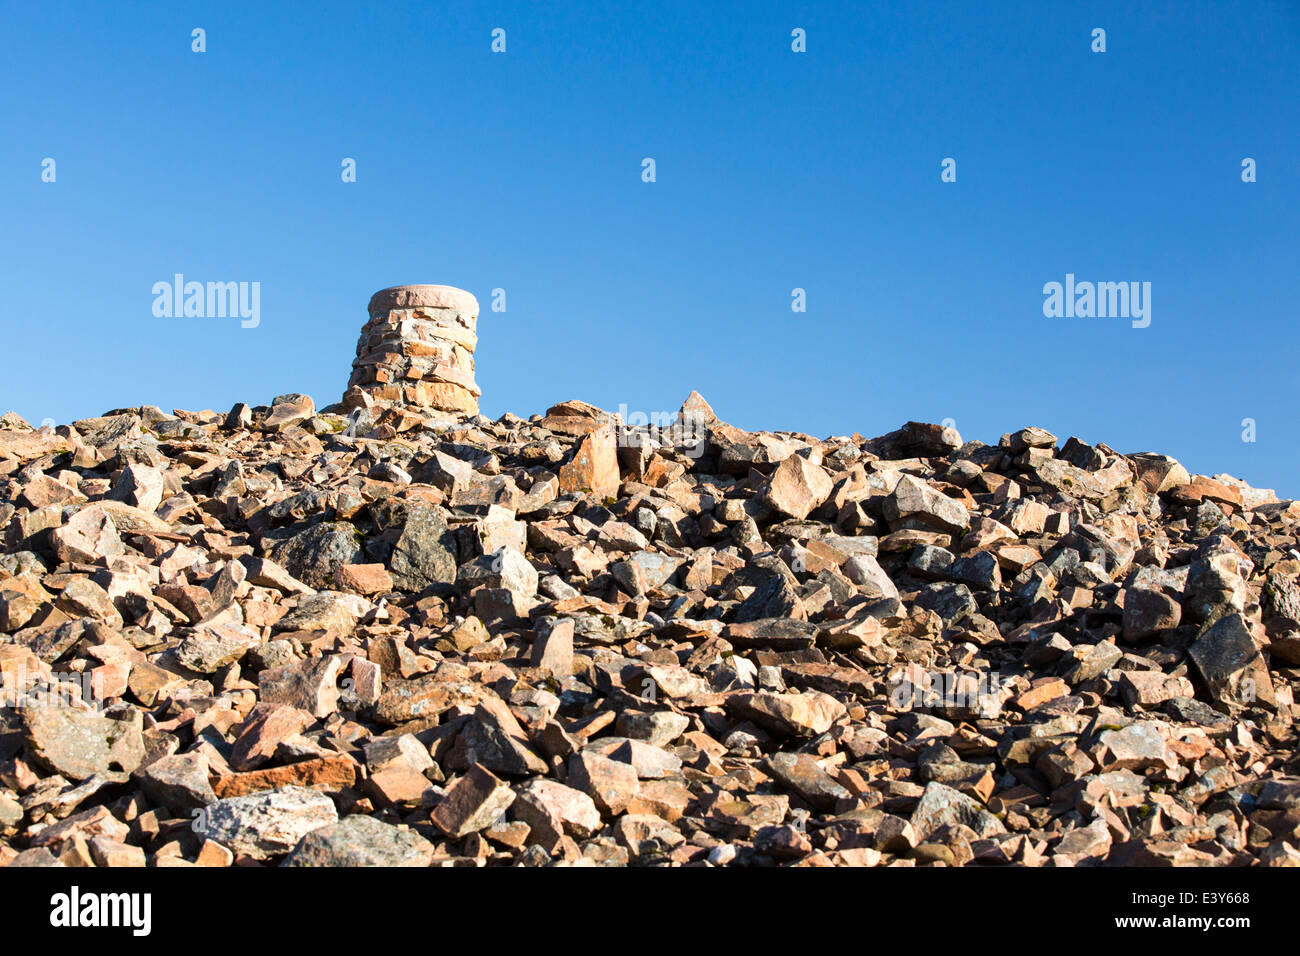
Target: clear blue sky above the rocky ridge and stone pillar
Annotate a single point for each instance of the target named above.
(775, 171)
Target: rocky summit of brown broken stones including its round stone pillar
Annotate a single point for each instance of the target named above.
(392, 631)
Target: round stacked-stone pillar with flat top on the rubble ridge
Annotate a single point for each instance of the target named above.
(418, 351)
